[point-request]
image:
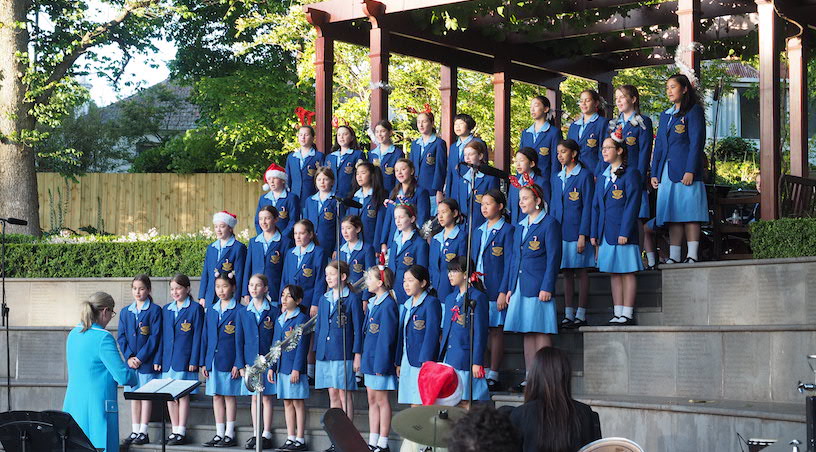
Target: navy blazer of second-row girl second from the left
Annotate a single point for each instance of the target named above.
(269, 262)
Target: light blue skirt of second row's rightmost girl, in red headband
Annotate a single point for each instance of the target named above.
(530, 315)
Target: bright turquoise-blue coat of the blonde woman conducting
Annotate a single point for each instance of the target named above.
(95, 367)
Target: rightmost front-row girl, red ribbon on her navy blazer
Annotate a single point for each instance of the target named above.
(455, 346)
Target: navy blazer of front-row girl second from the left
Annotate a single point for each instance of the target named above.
(181, 336)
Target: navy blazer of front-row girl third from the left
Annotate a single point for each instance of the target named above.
(220, 336)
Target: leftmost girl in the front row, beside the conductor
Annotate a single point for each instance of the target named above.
(139, 339)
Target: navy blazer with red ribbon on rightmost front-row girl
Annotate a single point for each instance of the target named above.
(454, 348)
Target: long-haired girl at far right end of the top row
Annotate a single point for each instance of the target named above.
(677, 169)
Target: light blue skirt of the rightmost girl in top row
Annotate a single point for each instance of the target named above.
(678, 203)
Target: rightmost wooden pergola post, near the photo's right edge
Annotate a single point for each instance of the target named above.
(797, 70)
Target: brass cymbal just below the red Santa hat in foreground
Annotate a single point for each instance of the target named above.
(430, 425)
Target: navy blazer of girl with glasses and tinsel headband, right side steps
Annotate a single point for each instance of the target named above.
(615, 208)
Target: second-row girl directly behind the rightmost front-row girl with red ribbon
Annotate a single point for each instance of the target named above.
(446, 246)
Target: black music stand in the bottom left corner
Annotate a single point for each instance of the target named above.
(42, 431)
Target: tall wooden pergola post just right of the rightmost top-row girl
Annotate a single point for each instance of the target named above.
(769, 108)
